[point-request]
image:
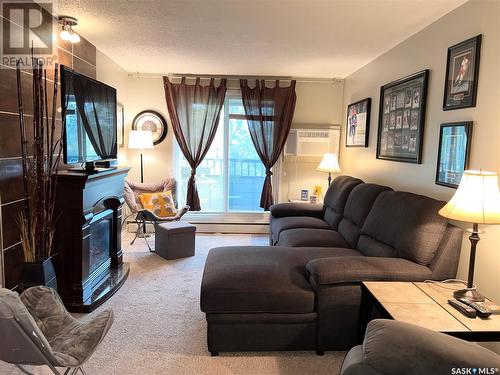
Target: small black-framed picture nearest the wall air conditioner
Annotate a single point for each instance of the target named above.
(358, 123)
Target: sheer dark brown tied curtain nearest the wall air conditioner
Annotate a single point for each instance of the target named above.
(269, 113)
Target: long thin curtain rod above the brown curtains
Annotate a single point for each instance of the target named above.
(236, 77)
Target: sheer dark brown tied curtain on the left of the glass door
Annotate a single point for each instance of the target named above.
(194, 111)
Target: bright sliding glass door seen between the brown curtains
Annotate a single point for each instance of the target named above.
(231, 176)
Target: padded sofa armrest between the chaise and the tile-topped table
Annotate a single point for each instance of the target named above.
(349, 269)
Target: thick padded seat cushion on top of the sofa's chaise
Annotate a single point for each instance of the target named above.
(253, 279)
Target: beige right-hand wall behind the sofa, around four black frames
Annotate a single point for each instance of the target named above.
(427, 50)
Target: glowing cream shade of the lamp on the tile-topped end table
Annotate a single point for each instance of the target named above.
(477, 199)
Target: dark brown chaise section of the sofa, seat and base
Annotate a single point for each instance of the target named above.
(259, 298)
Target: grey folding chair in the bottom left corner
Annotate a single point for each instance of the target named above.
(36, 329)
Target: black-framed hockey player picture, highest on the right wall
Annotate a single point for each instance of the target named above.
(462, 72)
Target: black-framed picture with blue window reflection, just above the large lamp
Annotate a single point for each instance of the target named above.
(453, 153)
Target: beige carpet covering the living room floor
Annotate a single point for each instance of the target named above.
(159, 328)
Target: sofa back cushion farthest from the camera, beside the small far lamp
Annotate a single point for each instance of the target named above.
(336, 198)
